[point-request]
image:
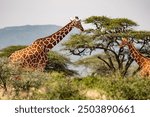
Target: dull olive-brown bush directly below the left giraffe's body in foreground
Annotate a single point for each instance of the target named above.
(27, 82)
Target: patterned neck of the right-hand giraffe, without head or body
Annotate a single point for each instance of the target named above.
(138, 57)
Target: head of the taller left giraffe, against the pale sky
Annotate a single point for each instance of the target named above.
(77, 23)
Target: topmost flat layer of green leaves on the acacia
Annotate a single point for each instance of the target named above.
(105, 23)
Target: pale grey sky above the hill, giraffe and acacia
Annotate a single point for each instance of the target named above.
(58, 12)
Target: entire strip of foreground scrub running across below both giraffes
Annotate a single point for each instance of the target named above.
(22, 84)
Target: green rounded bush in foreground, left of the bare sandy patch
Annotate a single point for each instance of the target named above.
(59, 87)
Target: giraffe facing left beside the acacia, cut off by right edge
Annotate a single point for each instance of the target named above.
(142, 61)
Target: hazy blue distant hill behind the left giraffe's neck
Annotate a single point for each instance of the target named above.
(25, 35)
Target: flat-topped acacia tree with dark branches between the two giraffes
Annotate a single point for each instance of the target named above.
(104, 37)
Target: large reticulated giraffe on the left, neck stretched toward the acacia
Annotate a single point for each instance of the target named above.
(35, 55)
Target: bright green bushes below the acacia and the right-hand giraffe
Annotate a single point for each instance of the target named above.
(118, 88)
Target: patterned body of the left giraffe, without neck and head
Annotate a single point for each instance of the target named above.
(29, 58)
